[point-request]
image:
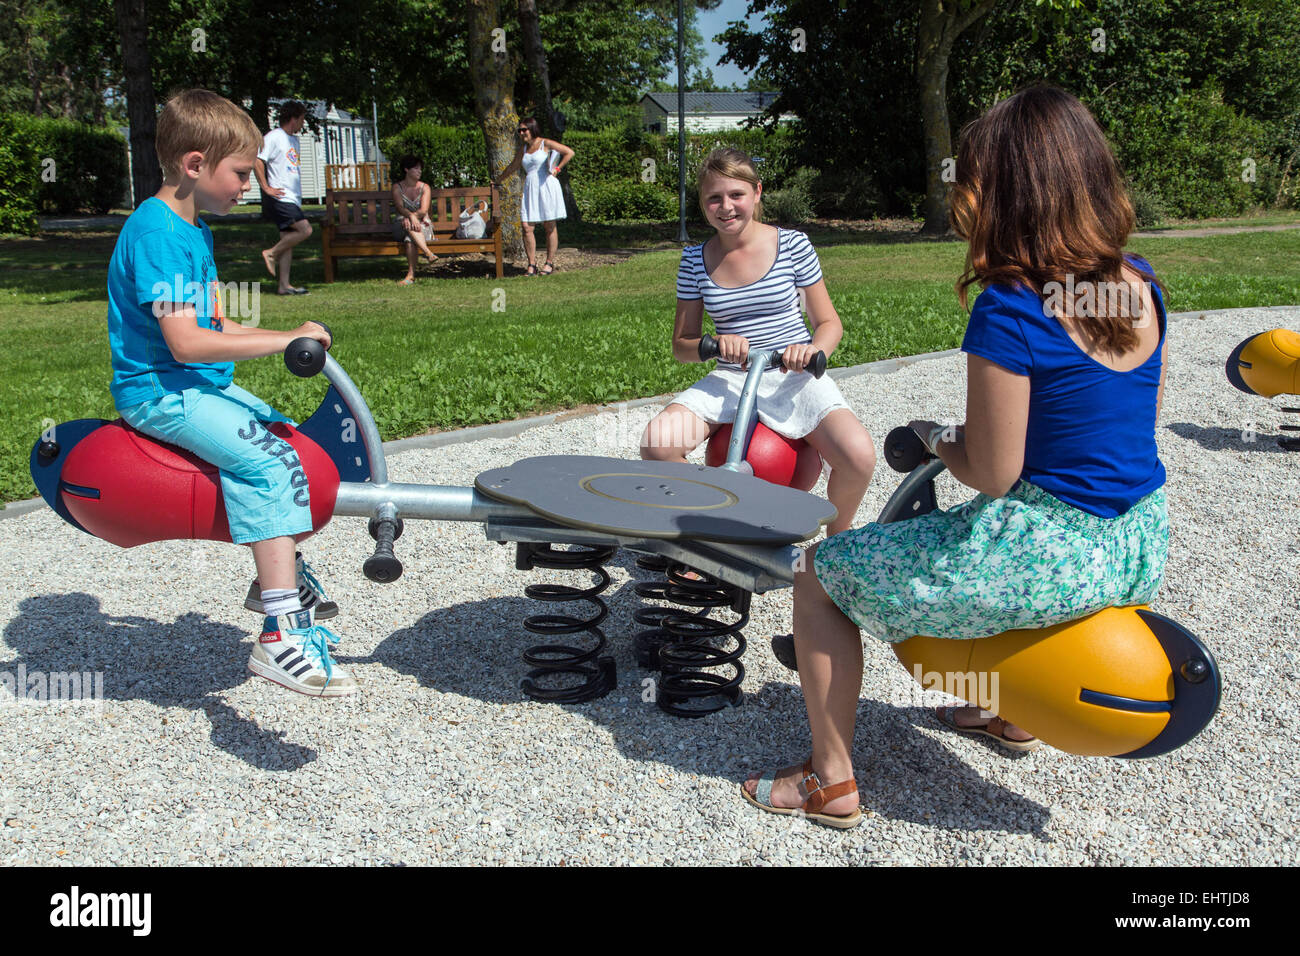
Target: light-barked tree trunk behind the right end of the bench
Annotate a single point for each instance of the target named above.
(493, 77)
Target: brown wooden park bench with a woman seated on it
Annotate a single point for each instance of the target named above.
(361, 224)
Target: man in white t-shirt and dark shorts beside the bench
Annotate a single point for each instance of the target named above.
(283, 193)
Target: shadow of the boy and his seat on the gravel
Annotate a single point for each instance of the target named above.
(187, 664)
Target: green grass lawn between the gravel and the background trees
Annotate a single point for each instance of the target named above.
(439, 356)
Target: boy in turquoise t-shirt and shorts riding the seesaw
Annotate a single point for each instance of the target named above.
(174, 361)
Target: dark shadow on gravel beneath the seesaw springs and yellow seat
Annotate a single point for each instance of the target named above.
(474, 650)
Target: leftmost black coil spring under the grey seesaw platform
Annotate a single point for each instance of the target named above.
(597, 673)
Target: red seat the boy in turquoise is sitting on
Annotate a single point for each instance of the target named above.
(132, 490)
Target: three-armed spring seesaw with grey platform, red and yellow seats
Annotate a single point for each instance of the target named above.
(1100, 690)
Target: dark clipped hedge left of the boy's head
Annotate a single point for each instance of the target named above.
(89, 170)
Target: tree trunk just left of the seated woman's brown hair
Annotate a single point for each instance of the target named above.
(942, 23)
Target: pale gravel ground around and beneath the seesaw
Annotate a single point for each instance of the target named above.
(441, 760)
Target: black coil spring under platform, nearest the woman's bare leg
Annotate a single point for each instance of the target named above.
(681, 643)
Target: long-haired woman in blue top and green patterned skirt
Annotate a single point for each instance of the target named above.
(1067, 365)
